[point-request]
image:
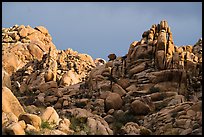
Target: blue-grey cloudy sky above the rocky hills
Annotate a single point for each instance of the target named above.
(101, 28)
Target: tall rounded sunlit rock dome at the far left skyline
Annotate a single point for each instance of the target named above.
(21, 44)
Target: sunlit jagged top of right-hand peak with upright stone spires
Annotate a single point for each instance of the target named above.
(158, 43)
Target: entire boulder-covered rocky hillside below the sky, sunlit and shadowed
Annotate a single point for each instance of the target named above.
(155, 89)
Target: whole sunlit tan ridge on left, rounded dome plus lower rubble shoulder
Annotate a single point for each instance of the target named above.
(27, 50)
